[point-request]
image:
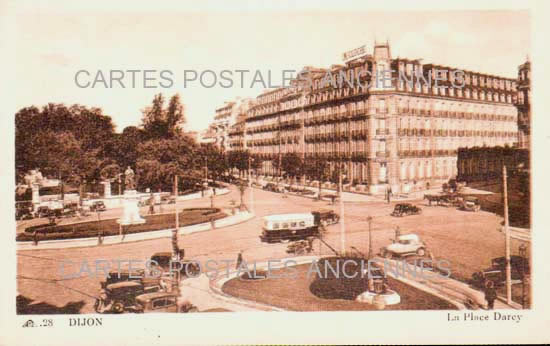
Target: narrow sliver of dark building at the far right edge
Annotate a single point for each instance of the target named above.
(524, 104)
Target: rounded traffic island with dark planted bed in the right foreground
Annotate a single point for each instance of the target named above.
(300, 288)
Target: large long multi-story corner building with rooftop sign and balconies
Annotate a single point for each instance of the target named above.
(400, 134)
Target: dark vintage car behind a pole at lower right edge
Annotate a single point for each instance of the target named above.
(497, 272)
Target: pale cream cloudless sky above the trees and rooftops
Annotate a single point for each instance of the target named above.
(54, 42)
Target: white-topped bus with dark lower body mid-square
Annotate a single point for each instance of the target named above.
(287, 227)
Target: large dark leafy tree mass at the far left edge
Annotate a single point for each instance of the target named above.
(63, 142)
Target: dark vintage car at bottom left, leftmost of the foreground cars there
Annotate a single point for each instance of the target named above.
(120, 297)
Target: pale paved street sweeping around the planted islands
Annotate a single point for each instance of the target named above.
(467, 240)
